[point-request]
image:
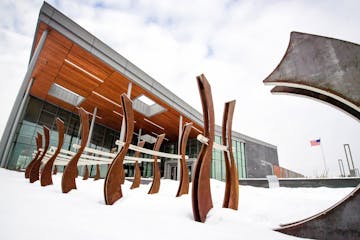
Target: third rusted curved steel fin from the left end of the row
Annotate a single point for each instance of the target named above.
(46, 174)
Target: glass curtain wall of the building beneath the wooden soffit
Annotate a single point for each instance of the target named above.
(40, 113)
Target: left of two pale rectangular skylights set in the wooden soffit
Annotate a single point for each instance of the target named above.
(65, 94)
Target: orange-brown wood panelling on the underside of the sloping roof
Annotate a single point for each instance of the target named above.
(51, 67)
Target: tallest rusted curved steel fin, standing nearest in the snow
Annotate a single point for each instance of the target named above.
(201, 195)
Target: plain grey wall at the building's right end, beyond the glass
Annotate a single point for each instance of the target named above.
(254, 154)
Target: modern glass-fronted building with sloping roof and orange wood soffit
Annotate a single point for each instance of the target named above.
(70, 68)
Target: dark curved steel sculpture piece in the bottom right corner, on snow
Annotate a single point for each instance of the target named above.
(341, 221)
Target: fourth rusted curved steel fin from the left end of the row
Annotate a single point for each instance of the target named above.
(71, 171)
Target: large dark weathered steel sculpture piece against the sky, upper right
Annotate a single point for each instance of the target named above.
(323, 68)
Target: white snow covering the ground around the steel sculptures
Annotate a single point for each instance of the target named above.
(29, 211)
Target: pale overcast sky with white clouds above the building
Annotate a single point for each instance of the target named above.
(236, 44)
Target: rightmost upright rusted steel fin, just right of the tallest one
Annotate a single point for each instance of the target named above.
(231, 196)
